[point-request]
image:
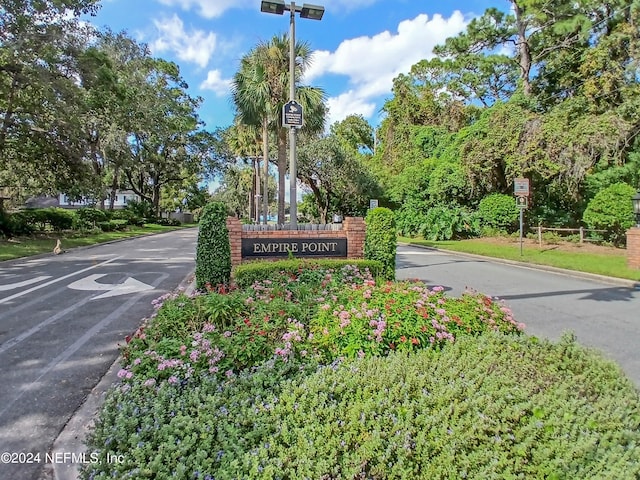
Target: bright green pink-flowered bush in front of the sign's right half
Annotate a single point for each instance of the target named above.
(373, 319)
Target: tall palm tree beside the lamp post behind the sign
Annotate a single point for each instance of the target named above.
(261, 88)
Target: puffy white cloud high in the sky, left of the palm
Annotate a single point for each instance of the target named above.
(195, 46)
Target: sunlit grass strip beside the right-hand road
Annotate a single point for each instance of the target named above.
(587, 258)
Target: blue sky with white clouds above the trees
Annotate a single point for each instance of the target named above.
(359, 45)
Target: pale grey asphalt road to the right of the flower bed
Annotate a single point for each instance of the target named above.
(601, 315)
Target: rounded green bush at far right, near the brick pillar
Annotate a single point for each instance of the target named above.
(611, 210)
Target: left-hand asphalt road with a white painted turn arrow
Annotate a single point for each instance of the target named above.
(61, 320)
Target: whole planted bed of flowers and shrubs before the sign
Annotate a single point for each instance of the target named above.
(326, 373)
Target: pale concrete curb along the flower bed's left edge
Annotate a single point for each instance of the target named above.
(71, 439)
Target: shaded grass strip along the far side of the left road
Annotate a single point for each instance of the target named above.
(26, 246)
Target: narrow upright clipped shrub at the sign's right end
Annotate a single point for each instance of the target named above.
(381, 240)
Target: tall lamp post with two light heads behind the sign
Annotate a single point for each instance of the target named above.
(313, 12)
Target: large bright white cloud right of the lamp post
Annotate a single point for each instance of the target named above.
(371, 63)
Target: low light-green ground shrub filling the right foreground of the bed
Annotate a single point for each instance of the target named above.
(494, 407)
